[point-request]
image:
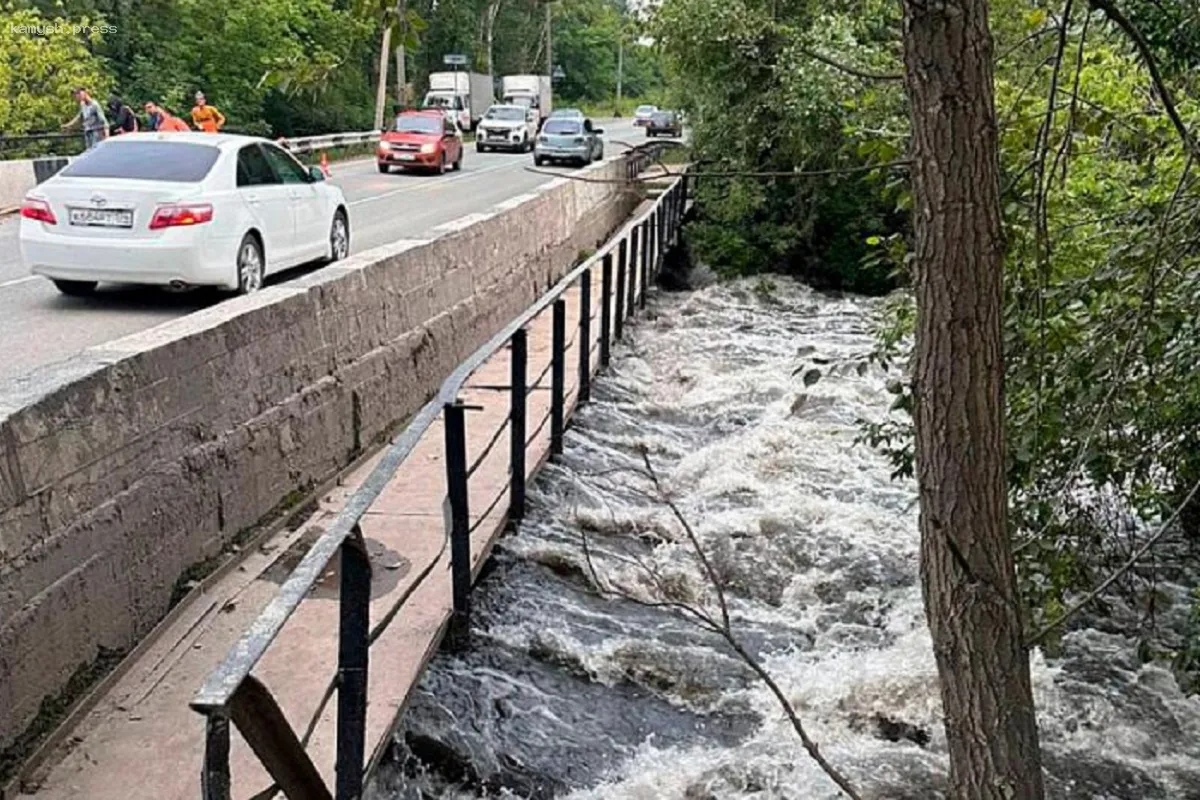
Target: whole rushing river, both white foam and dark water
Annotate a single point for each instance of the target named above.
(571, 691)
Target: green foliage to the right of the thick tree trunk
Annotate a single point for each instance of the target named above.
(1102, 275)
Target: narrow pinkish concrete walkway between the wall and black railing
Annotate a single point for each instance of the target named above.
(140, 738)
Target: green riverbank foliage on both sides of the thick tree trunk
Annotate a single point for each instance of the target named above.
(1100, 209)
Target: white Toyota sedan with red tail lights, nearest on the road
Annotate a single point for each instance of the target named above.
(181, 210)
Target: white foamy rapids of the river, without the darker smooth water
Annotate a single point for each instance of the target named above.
(820, 550)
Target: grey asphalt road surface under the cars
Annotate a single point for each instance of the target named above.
(39, 326)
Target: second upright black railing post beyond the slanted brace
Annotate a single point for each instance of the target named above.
(455, 420)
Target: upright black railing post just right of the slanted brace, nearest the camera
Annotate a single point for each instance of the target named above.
(355, 611)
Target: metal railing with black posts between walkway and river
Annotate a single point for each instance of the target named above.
(232, 695)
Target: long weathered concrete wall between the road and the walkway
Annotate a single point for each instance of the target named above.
(128, 465)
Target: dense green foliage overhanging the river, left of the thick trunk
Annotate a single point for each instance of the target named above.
(760, 103)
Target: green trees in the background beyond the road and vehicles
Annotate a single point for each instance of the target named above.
(295, 68)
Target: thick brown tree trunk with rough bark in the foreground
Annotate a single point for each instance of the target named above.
(968, 574)
